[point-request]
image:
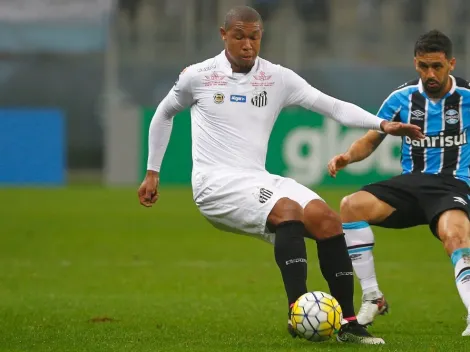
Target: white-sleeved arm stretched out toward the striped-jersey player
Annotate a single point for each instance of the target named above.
(299, 92)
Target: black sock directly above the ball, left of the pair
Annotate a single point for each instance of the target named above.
(291, 257)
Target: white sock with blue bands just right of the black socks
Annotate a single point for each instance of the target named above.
(360, 241)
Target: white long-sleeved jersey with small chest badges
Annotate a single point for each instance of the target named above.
(232, 114)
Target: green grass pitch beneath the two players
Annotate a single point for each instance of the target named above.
(89, 269)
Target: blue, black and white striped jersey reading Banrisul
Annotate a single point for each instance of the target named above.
(444, 122)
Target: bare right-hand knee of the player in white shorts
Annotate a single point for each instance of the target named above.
(321, 221)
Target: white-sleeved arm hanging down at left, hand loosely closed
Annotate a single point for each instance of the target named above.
(179, 98)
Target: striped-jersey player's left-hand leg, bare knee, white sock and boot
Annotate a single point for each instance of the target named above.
(357, 211)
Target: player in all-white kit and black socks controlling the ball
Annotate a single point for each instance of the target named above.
(235, 99)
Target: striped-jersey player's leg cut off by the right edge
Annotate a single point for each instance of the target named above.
(453, 228)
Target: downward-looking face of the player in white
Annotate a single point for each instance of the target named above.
(242, 43)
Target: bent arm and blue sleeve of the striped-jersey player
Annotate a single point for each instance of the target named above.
(365, 146)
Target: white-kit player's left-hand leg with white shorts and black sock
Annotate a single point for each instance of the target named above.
(252, 203)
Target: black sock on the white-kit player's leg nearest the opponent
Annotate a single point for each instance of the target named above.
(337, 270)
